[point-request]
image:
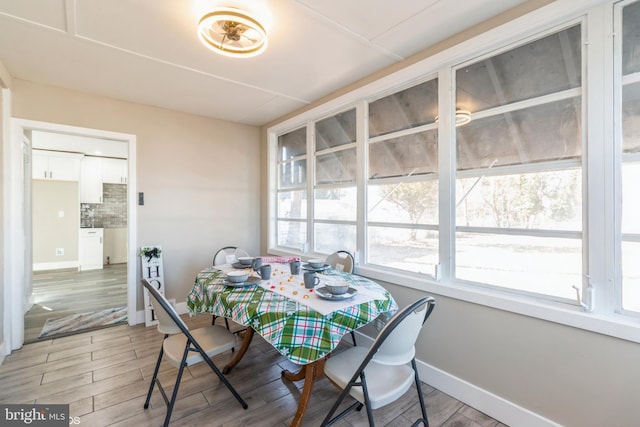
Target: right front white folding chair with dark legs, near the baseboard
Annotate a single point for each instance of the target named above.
(381, 374)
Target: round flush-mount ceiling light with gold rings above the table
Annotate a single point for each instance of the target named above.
(232, 32)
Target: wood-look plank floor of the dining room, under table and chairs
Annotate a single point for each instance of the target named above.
(104, 376)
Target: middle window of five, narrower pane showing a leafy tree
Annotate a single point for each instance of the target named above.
(402, 212)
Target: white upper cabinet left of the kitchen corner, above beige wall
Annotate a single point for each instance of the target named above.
(56, 166)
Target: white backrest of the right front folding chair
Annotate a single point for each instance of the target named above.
(395, 344)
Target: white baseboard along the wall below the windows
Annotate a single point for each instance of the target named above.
(484, 401)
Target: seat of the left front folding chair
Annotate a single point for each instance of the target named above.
(213, 339)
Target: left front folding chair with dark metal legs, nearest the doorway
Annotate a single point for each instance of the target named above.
(183, 347)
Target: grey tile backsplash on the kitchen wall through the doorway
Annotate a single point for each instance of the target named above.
(111, 213)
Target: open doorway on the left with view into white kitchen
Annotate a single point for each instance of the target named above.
(79, 228)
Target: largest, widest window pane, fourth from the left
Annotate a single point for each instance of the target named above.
(519, 174)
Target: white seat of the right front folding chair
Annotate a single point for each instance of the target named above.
(385, 383)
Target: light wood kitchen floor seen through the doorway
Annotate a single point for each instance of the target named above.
(60, 293)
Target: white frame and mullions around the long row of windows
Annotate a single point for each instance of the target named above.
(599, 161)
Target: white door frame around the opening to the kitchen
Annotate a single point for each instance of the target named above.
(17, 235)
